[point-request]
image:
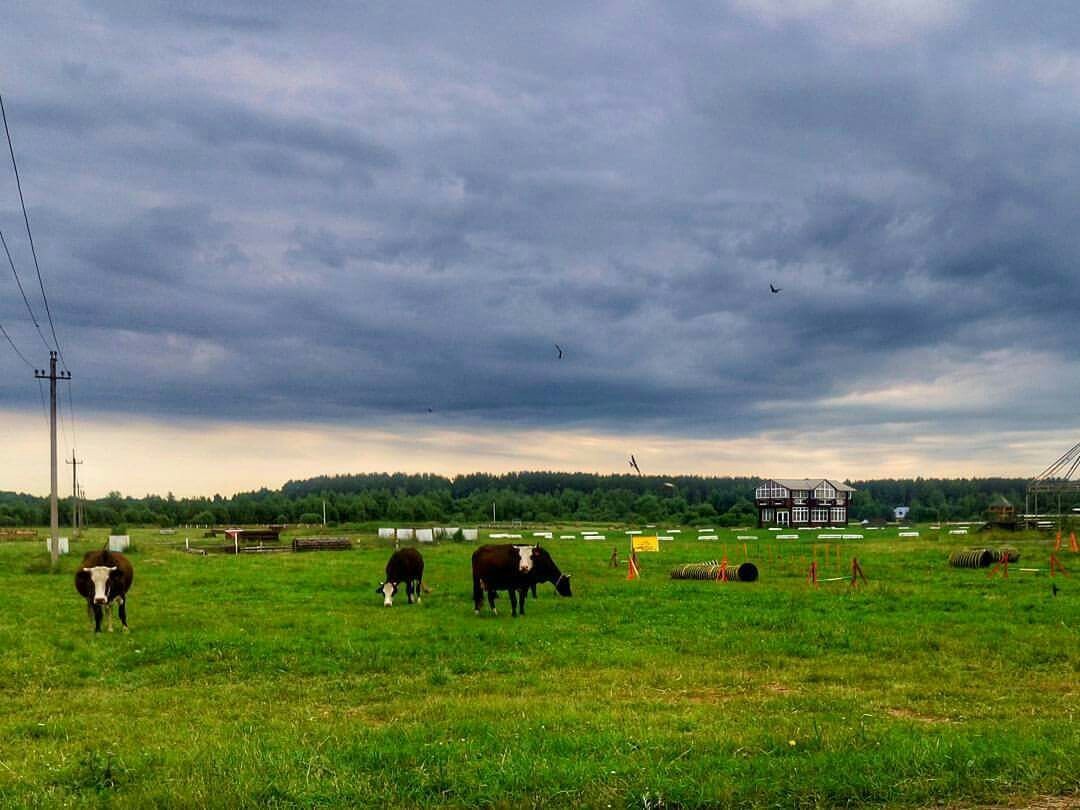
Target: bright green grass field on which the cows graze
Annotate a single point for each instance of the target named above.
(281, 681)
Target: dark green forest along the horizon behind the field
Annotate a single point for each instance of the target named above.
(533, 497)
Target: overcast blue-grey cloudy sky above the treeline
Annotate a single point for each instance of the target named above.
(275, 235)
